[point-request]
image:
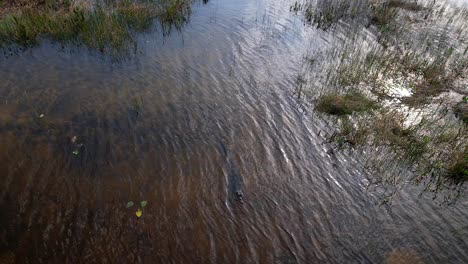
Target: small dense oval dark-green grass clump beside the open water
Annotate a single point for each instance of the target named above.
(336, 104)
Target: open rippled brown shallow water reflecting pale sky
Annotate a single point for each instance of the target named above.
(203, 124)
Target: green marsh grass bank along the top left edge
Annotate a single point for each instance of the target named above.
(105, 25)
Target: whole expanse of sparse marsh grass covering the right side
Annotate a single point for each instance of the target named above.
(410, 56)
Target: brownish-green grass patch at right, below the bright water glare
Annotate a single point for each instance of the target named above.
(434, 150)
